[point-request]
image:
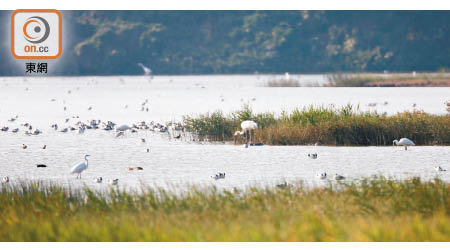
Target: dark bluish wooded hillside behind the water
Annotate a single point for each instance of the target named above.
(232, 42)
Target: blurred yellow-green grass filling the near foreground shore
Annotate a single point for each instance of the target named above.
(374, 209)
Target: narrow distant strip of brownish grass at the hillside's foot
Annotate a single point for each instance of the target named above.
(370, 80)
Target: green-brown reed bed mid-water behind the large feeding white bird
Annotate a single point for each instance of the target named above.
(325, 125)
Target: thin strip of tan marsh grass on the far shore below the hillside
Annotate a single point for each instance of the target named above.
(363, 80)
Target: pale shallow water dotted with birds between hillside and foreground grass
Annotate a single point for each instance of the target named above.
(179, 162)
